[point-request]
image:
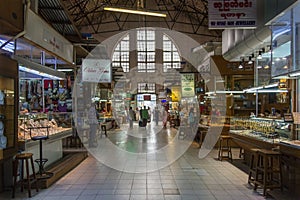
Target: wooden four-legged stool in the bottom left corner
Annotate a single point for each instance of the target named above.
(29, 179)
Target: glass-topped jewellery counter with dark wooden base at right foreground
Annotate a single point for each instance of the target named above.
(271, 134)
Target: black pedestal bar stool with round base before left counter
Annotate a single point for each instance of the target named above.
(42, 174)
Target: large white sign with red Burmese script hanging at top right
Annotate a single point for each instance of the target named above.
(232, 14)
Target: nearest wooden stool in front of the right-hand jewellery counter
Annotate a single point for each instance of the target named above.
(268, 166)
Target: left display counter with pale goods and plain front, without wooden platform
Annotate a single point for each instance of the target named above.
(31, 126)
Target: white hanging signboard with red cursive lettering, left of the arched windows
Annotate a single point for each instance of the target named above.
(96, 70)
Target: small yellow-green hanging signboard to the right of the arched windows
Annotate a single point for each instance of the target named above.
(187, 85)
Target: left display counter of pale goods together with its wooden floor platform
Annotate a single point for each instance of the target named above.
(43, 134)
